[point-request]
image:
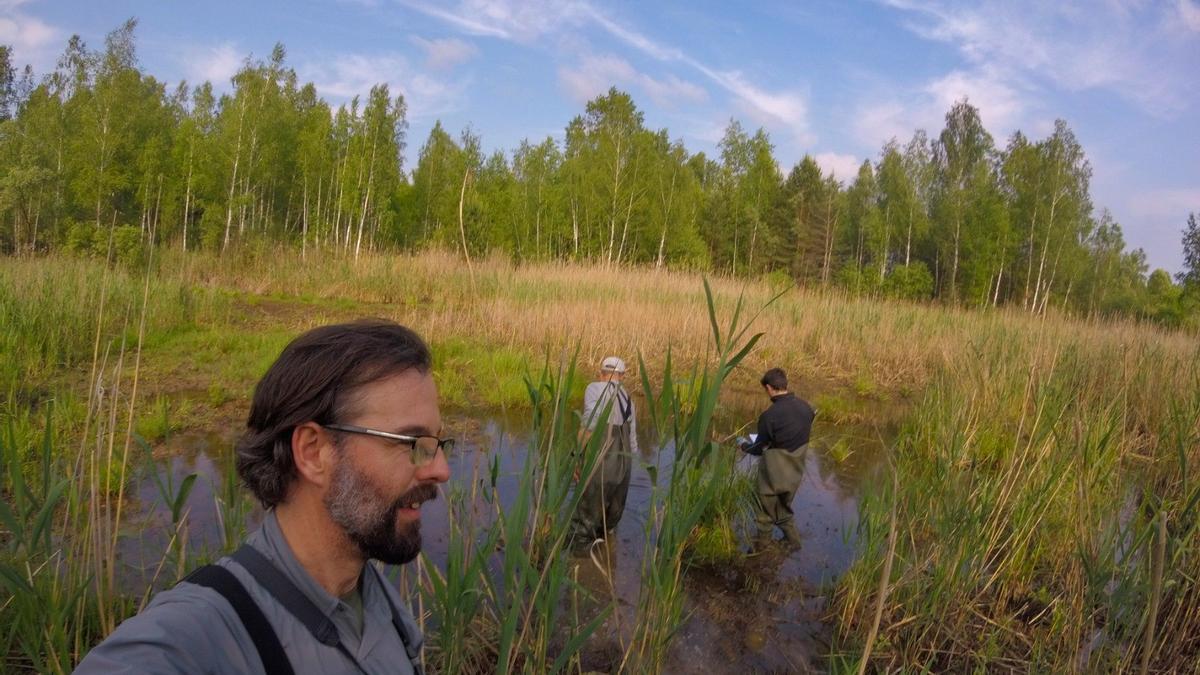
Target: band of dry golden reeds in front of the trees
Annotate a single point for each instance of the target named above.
(877, 348)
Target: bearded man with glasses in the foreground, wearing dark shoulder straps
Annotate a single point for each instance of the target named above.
(343, 447)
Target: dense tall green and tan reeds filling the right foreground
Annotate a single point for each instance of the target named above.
(1037, 489)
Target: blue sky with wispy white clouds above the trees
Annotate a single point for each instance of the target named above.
(831, 79)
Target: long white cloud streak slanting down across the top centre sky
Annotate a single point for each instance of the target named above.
(527, 22)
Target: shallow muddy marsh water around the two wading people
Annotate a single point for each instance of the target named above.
(764, 614)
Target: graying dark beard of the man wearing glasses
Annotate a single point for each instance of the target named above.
(370, 521)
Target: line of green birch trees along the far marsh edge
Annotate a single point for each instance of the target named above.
(99, 152)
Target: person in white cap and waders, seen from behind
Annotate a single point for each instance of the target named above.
(604, 492)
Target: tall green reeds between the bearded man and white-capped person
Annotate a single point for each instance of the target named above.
(502, 604)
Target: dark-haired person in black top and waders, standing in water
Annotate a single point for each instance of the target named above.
(783, 444)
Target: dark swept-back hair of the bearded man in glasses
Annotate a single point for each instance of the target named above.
(314, 380)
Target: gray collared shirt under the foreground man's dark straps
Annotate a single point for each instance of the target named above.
(191, 629)
